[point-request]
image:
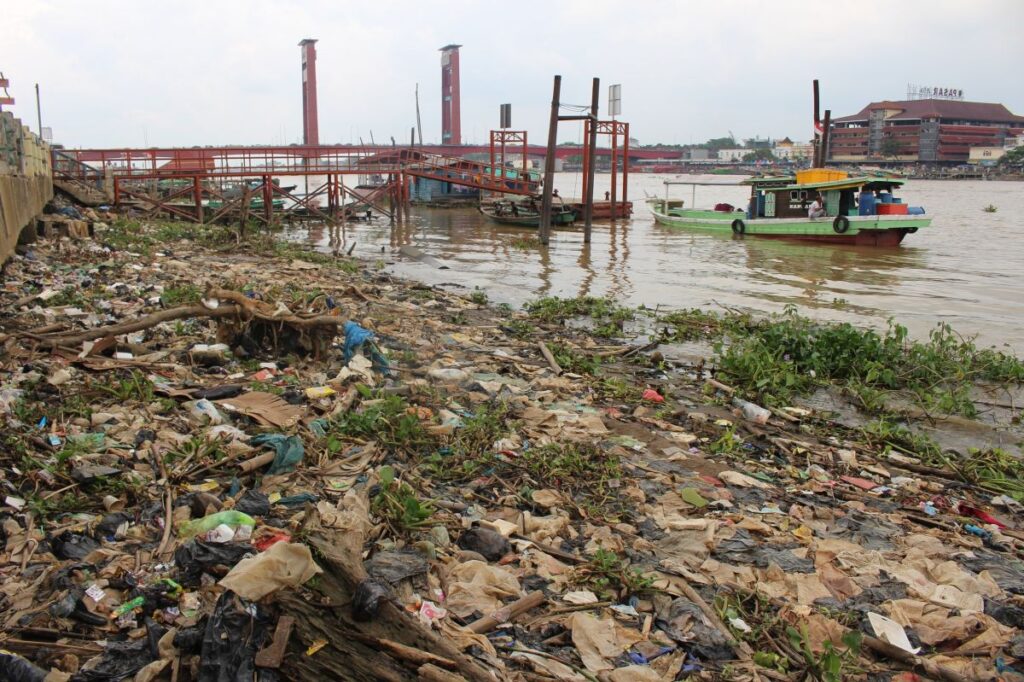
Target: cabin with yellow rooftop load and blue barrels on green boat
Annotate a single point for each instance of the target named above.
(790, 197)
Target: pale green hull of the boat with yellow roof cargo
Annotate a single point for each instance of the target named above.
(867, 231)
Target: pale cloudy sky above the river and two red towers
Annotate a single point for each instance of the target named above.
(204, 72)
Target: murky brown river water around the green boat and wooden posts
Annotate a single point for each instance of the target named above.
(966, 270)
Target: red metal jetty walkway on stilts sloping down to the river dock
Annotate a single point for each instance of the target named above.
(188, 183)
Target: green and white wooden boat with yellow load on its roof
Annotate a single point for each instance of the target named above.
(857, 209)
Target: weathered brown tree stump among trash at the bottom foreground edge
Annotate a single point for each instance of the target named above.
(392, 646)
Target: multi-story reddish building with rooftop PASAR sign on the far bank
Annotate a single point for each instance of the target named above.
(925, 131)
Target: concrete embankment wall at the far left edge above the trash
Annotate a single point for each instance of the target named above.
(26, 181)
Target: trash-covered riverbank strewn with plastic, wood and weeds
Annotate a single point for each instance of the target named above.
(221, 463)
